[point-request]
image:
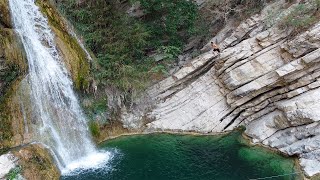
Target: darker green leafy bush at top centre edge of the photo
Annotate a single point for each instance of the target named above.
(169, 21)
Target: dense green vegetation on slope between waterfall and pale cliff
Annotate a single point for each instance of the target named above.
(122, 43)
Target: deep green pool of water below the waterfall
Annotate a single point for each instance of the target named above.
(186, 157)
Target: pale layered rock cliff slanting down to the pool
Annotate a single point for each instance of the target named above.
(263, 79)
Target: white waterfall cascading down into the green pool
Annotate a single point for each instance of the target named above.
(56, 110)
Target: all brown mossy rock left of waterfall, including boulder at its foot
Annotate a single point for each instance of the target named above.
(14, 131)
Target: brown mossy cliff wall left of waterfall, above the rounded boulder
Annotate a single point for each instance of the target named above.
(13, 68)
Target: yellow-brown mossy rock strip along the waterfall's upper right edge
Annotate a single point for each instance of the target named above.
(74, 56)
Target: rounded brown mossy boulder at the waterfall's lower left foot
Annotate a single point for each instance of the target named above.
(36, 163)
